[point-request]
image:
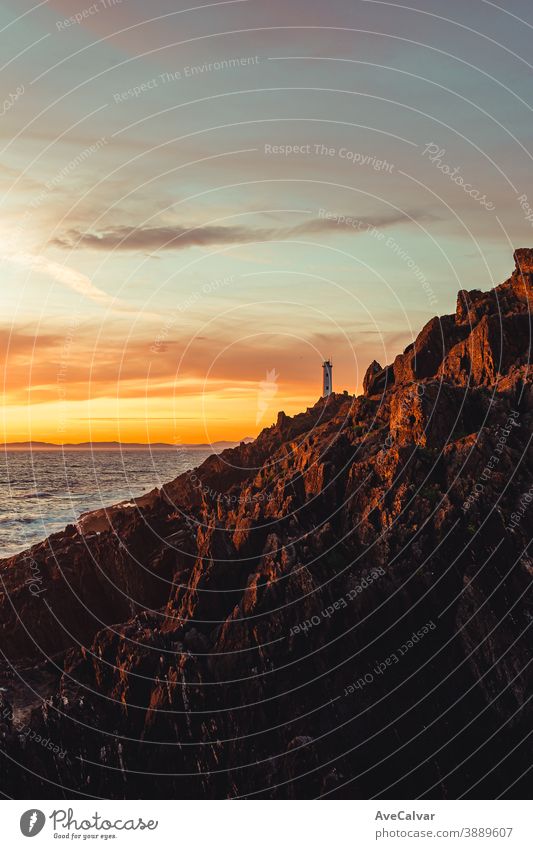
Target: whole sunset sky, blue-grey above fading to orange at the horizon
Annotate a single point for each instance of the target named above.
(170, 272)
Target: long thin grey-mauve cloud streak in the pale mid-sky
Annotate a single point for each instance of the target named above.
(180, 237)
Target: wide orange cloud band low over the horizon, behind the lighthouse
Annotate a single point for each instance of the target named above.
(56, 364)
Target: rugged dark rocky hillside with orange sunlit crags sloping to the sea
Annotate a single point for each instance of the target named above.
(340, 607)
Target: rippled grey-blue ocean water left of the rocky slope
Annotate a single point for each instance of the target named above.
(42, 491)
